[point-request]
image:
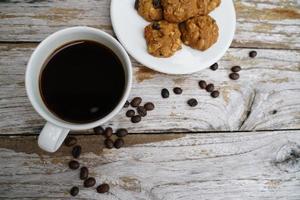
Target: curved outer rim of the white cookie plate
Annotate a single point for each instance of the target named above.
(153, 67)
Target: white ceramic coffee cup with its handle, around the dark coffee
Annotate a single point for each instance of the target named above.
(56, 129)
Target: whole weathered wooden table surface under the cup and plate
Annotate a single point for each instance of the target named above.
(243, 145)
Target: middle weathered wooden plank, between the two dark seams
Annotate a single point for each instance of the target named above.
(265, 98)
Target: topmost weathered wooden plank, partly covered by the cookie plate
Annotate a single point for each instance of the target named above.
(261, 23)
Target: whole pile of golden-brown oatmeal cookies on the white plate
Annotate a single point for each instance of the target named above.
(177, 21)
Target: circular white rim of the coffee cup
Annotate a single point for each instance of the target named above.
(65, 124)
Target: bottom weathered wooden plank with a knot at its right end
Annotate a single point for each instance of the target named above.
(263, 165)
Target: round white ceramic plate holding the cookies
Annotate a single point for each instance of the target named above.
(129, 28)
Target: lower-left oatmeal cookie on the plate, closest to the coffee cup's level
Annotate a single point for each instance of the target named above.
(163, 38)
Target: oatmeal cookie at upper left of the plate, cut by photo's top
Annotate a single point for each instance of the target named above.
(150, 10)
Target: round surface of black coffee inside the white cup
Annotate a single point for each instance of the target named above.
(82, 82)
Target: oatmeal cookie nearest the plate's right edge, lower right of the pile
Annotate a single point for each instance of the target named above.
(200, 32)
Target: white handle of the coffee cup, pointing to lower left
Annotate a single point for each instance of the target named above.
(51, 137)
